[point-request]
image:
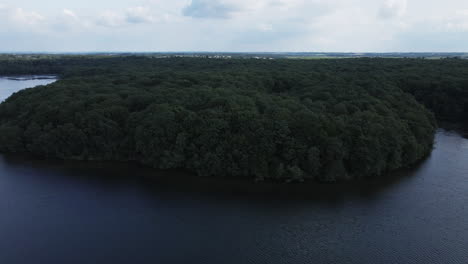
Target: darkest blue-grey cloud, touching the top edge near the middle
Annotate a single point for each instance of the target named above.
(209, 9)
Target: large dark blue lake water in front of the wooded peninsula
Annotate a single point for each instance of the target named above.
(70, 212)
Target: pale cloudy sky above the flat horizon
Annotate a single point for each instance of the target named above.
(234, 25)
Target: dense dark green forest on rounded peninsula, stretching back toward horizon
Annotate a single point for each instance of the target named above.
(286, 120)
